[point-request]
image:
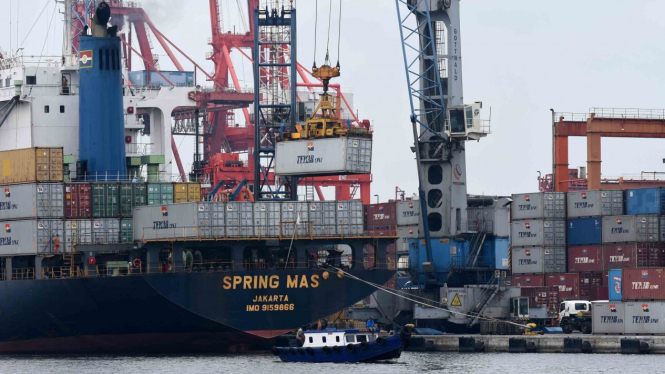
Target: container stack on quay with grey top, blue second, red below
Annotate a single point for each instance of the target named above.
(586, 212)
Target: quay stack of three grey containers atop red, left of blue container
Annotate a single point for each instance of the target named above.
(538, 242)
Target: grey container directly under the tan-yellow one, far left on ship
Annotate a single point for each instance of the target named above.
(31, 201)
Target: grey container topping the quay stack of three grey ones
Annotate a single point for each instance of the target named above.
(537, 205)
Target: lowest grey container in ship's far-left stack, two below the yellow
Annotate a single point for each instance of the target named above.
(31, 237)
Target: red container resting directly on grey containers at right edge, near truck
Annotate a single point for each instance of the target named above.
(644, 284)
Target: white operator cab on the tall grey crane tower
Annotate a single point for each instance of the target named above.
(464, 122)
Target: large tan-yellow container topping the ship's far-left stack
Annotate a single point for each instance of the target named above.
(31, 165)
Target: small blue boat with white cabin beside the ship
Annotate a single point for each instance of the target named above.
(344, 346)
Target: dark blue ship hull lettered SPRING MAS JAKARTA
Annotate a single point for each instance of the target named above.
(195, 312)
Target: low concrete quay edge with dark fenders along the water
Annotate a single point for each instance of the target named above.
(559, 343)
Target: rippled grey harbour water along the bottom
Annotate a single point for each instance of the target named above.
(268, 364)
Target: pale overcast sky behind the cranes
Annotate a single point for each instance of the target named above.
(519, 57)
